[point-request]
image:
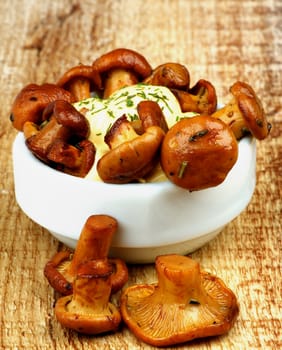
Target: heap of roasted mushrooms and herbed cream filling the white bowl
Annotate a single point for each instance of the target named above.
(119, 85)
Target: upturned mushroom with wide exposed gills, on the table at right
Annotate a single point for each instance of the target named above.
(185, 304)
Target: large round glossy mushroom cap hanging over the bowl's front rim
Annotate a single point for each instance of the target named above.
(198, 152)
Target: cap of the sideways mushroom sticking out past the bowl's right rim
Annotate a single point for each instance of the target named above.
(251, 109)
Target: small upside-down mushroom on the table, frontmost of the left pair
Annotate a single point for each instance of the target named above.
(89, 310)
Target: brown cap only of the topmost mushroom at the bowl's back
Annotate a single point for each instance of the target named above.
(125, 59)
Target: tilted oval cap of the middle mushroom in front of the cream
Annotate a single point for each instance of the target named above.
(131, 160)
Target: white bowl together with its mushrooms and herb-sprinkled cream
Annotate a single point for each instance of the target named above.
(139, 144)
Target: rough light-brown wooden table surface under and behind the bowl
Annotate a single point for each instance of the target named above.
(221, 41)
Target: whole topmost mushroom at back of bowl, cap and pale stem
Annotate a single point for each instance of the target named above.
(121, 67)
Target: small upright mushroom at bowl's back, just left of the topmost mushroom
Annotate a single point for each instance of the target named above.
(80, 81)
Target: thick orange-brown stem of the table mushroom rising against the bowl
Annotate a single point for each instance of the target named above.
(94, 242)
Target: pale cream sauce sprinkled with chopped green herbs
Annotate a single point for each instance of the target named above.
(102, 113)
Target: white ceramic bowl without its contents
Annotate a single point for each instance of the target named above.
(154, 218)
